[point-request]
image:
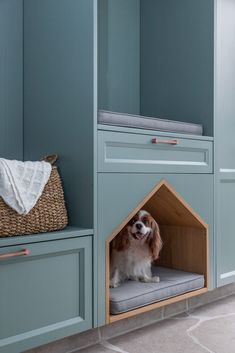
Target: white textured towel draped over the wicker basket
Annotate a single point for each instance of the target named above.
(22, 183)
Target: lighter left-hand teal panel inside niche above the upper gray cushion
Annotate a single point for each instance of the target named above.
(119, 55)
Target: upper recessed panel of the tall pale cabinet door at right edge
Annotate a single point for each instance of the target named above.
(225, 85)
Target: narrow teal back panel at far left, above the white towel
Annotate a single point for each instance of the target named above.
(11, 79)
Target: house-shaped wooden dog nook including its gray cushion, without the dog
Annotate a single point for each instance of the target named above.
(183, 262)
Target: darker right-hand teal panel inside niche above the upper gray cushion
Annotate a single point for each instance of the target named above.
(177, 60)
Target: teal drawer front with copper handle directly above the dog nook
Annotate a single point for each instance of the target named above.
(123, 152)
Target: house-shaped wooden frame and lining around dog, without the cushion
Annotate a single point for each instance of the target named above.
(182, 229)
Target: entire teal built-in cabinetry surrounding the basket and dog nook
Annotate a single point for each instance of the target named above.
(162, 67)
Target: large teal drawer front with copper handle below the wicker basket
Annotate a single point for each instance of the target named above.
(45, 294)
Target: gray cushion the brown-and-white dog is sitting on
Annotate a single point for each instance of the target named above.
(131, 294)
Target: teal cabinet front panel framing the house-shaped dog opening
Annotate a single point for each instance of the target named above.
(120, 193)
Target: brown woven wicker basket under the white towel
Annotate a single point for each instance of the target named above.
(49, 214)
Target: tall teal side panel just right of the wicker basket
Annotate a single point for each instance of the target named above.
(58, 95)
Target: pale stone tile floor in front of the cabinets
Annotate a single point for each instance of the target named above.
(210, 328)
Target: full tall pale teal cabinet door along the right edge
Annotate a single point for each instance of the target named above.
(225, 142)
